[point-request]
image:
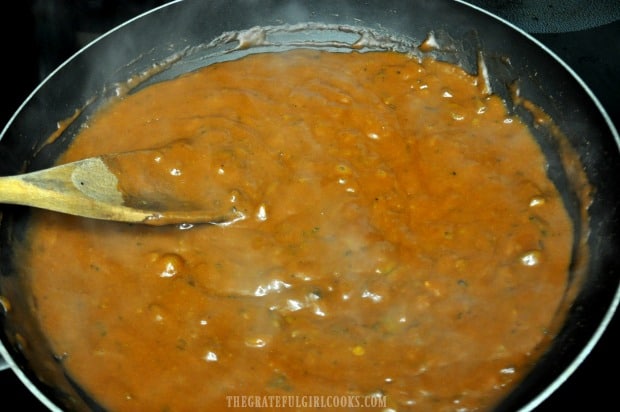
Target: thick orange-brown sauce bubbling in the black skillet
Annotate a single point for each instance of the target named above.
(400, 243)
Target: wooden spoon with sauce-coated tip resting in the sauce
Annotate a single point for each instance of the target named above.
(90, 188)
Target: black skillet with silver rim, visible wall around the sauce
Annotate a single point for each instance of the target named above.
(591, 131)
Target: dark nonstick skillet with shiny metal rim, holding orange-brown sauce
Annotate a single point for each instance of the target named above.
(542, 78)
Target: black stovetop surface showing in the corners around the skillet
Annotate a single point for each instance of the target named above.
(38, 35)
